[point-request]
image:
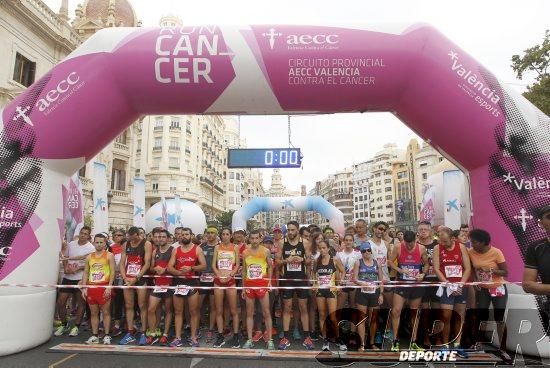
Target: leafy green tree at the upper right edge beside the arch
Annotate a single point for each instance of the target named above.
(536, 59)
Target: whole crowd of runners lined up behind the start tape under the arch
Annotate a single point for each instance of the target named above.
(240, 288)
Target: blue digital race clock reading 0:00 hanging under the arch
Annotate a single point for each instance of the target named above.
(264, 158)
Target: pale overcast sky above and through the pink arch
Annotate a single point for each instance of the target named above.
(490, 31)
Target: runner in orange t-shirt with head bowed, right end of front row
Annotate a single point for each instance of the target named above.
(489, 265)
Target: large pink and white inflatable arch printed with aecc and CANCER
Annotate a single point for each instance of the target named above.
(498, 138)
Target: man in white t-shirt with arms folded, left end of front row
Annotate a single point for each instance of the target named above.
(73, 264)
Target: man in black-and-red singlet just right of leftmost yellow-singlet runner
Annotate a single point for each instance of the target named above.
(134, 263)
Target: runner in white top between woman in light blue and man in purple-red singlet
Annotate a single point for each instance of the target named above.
(380, 252)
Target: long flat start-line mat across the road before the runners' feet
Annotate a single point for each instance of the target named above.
(476, 358)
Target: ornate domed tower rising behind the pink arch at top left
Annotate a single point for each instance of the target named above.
(94, 15)
